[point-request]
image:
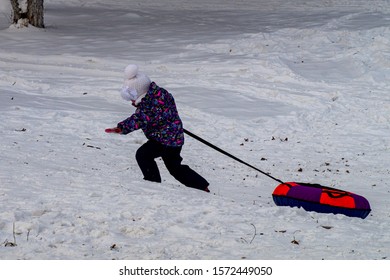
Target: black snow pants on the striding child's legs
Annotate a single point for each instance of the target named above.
(146, 155)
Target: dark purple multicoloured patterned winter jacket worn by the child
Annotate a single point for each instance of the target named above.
(158, 118)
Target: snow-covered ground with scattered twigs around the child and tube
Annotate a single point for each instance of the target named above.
(299, 89)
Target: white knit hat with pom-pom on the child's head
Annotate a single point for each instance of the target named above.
(136, 84)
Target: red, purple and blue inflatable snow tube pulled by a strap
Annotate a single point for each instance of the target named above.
(318, 198)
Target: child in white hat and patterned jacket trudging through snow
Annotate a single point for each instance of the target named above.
(157, 116)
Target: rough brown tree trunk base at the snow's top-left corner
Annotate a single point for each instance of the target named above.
(33, 12)
